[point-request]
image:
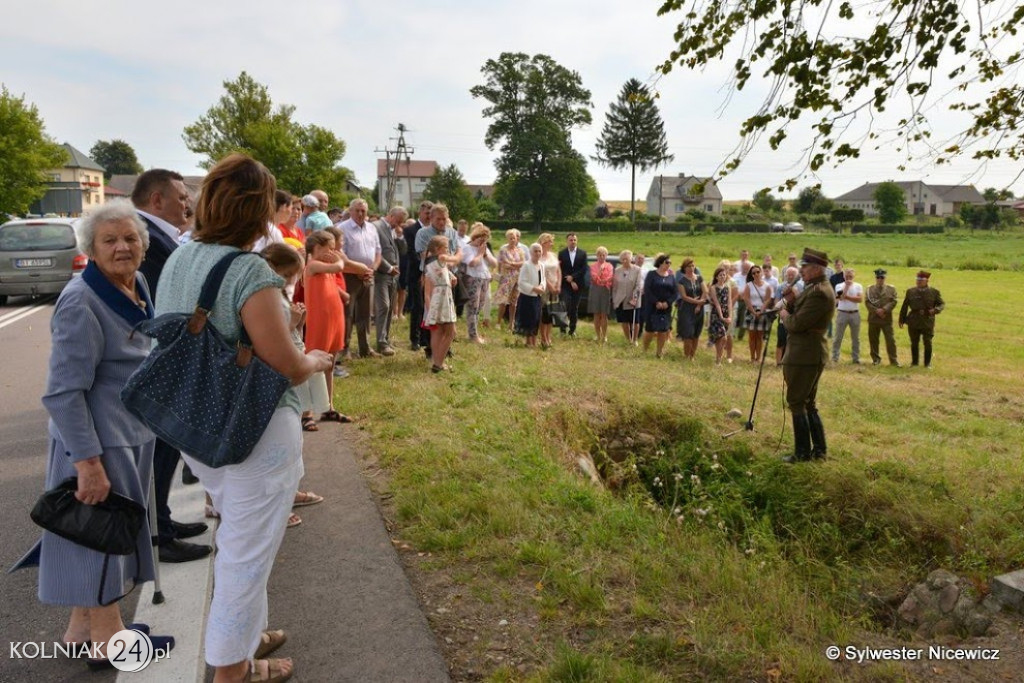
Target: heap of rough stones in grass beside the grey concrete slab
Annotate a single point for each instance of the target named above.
(943, 606)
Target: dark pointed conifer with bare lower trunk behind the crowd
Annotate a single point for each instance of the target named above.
(633, 136)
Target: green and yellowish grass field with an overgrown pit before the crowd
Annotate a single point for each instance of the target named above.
(702, 558)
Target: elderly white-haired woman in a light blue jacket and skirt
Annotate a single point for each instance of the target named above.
(93, 437)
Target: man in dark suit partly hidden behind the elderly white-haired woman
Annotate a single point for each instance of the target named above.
(162, 201)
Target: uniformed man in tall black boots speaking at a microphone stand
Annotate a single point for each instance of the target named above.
(806, 319)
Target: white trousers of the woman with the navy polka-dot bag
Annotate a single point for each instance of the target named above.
(254, 499)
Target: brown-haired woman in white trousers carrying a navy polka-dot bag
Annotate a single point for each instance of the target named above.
(254, 497)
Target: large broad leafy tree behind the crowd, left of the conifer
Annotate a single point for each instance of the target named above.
(535, 104)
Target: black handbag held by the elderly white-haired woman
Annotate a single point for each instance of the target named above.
(111, 528)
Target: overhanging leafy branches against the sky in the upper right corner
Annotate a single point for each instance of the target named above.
(845, 63)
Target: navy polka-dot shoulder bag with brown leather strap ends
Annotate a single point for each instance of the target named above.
(197, 393)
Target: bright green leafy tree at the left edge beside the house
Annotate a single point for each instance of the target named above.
(26, 154)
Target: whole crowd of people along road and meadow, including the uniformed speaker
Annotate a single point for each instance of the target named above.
(325, 274)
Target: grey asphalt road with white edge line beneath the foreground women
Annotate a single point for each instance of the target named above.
(337, 588)
